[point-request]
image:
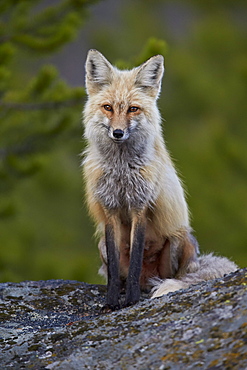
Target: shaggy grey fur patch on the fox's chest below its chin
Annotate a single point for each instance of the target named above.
(122, 184)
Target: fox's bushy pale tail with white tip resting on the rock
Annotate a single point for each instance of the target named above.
(210, 267)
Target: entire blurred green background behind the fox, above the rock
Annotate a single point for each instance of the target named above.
(45, 232)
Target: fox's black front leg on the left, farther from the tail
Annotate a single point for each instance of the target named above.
(113, 286)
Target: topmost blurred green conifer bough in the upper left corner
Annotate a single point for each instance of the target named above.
(42, 31)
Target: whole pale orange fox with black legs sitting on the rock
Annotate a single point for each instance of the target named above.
(132, 188)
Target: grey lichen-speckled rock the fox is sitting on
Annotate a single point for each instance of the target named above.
(58, 324)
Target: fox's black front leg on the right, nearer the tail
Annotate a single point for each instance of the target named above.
(133, 280)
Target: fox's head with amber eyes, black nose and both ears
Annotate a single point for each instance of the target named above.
(121, 104)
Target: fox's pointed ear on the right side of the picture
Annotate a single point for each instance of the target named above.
(149, 75)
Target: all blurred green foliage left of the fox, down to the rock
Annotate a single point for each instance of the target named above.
(40, 114)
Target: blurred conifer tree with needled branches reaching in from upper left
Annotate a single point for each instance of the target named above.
(35, 112)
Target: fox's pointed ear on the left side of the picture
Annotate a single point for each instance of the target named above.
(98, 71)
